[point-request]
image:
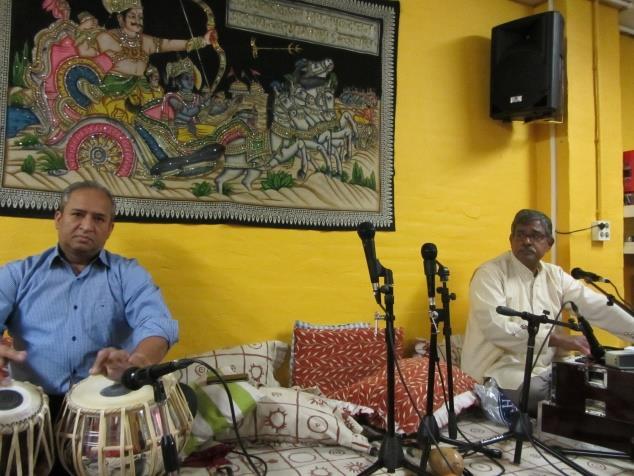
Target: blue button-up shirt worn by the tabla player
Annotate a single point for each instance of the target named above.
(62, 320)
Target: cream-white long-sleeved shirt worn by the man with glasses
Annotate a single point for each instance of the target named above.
(495, 345)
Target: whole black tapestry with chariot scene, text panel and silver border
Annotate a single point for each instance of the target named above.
(263, 112)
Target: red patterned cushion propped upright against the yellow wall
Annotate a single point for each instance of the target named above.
(335, 358)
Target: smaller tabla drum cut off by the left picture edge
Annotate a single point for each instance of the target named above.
(27, 445)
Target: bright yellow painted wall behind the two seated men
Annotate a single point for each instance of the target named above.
(460, 177)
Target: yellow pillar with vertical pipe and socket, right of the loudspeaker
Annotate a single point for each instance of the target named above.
(593, 181)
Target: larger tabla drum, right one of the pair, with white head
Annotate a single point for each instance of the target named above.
(106, 429)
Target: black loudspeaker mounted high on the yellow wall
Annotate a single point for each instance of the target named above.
(527, 68)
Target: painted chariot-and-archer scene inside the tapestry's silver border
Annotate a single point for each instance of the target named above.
(164, 100)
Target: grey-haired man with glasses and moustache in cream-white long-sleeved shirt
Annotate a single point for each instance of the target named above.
(495, 345)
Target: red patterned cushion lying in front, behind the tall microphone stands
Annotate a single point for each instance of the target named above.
(371, 392)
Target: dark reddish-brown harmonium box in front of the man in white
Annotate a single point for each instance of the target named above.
(591, 403)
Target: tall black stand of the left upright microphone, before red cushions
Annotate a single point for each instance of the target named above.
(391, 455)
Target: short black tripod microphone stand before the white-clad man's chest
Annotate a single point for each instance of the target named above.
(521, 427)
